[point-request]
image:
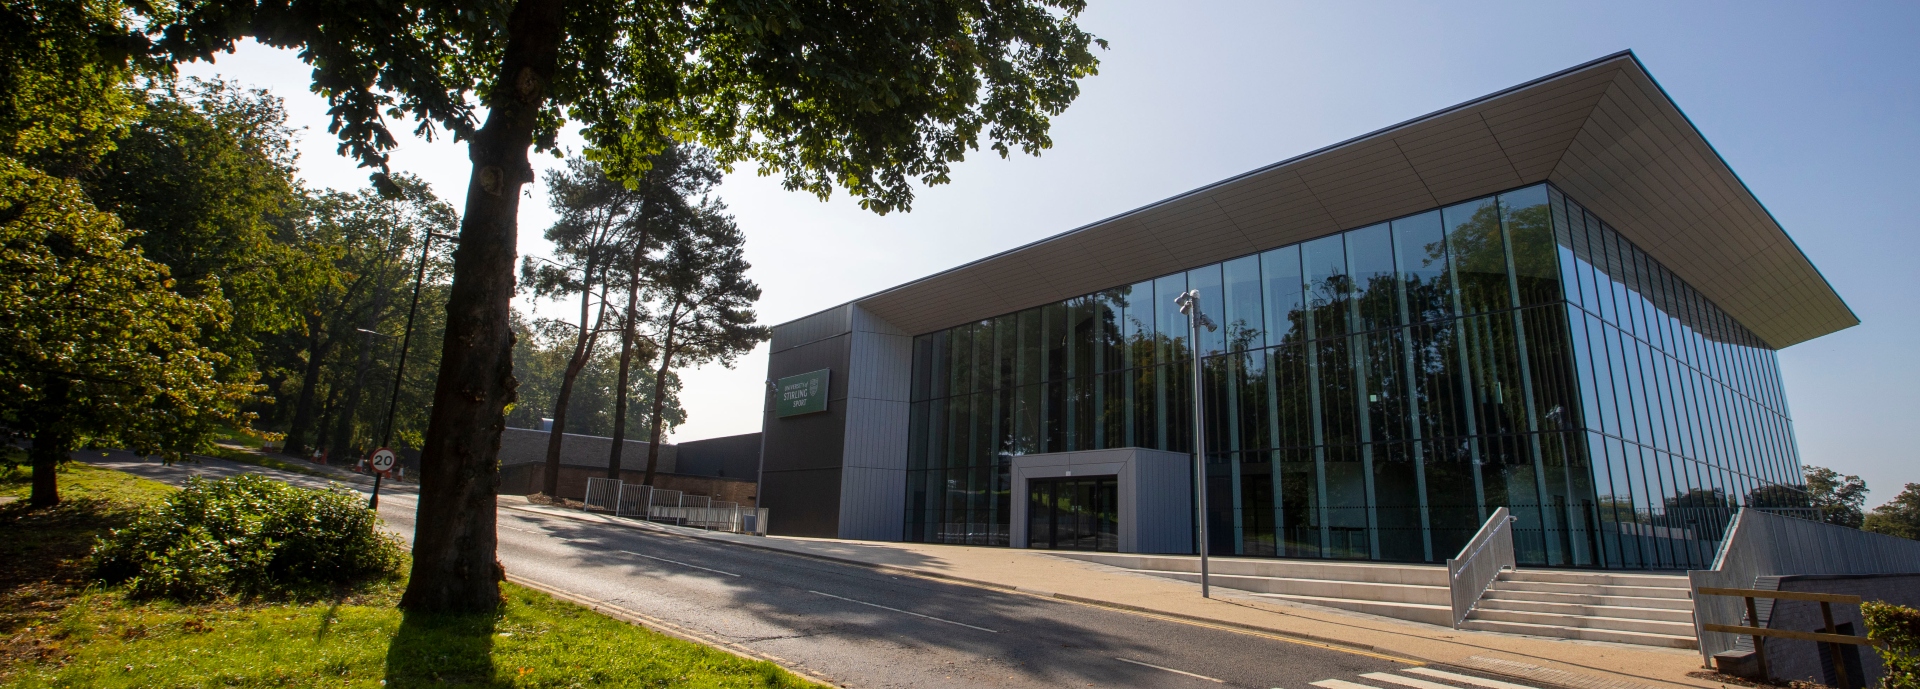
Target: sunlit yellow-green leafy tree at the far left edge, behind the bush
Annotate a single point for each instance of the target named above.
(95, 343)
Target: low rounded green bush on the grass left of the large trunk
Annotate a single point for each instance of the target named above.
(249, 536)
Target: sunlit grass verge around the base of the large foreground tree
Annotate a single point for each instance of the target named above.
(59, 630)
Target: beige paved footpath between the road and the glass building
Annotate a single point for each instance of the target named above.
(1566, 663)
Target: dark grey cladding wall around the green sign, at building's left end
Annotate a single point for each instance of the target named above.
(802, 458)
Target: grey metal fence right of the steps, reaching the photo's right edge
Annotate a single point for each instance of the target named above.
(1764, 544)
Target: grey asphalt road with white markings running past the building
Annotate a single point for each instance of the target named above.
(865, 629)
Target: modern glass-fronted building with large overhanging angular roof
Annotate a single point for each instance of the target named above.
(1556, 298)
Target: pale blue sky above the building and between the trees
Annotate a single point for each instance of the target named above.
(1813, 105)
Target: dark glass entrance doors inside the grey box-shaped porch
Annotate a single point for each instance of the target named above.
(1074, 513)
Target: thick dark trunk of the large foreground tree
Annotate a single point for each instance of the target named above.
(454, 542)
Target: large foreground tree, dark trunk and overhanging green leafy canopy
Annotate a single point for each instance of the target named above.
(865, 97)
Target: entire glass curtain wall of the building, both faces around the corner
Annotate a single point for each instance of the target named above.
(1376, 394)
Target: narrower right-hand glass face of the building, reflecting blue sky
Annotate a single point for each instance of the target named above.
(1687, 419)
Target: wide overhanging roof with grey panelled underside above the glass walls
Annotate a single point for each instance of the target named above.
(1602, 131)
